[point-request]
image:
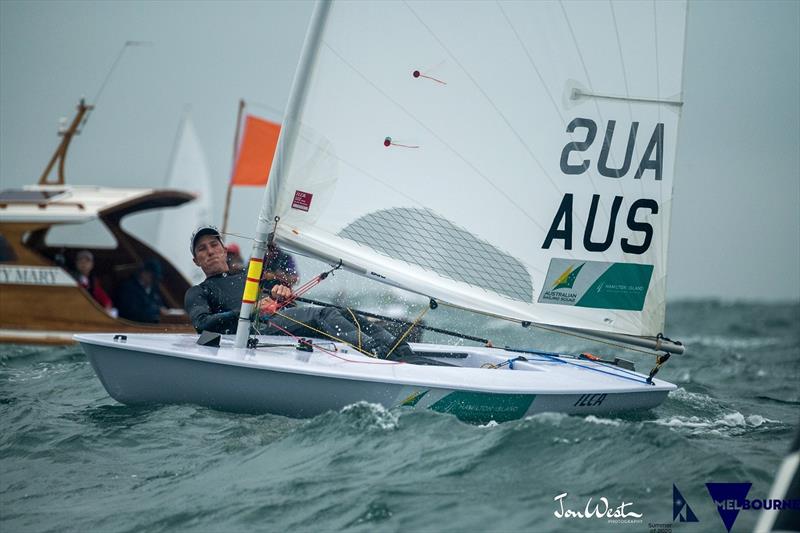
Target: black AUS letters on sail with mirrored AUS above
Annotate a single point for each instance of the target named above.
(650, 165)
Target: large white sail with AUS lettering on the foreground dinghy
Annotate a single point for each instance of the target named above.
(515, 158)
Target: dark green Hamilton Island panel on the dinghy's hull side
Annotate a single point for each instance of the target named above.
(482, 407)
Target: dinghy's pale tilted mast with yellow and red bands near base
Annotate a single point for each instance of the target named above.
(285, 148)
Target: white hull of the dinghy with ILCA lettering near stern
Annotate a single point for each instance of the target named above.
(168, 369)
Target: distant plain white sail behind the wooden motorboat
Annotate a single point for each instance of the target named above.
(188, 171)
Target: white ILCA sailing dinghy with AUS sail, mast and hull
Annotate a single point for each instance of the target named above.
(513, 159)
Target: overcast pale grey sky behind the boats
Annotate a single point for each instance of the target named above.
(736, 209)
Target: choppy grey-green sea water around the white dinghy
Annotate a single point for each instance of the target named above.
(72, 459)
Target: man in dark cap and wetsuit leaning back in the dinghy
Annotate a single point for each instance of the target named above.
(214, 304)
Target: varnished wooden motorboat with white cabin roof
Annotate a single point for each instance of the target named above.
(40, 301)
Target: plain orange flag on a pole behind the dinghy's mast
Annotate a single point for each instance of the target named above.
(256, 151)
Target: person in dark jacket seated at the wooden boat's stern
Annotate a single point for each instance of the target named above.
(139, 298)
